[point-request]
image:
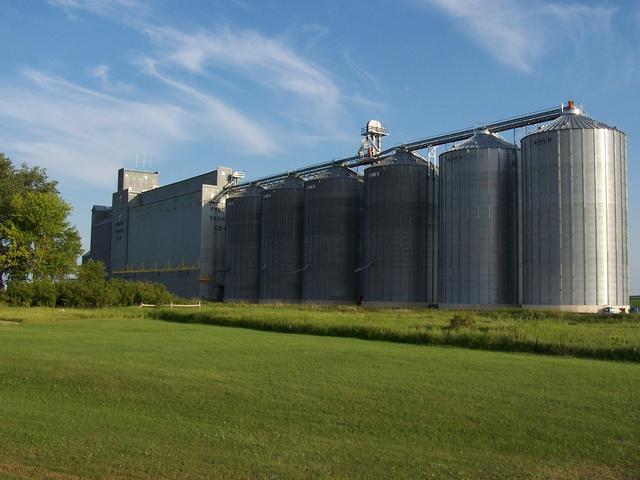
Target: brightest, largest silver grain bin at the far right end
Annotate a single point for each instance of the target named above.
(574, 215)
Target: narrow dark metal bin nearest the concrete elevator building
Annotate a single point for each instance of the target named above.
(243, 237)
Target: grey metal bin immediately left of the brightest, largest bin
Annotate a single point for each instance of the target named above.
(478, 258)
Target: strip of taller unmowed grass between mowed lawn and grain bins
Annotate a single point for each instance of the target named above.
(589, 336)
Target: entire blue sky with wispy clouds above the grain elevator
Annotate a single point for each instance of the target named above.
(89, 86)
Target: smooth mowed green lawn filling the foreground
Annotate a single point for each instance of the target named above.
(141, 398)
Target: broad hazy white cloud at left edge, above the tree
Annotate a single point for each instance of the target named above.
(84, 135)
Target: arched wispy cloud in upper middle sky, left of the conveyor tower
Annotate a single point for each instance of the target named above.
(307, 95)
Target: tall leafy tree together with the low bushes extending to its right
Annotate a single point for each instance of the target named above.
(39, 250)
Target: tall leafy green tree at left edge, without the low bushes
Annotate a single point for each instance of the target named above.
(36, 239)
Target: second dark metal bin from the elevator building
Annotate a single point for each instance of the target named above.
(282, 231)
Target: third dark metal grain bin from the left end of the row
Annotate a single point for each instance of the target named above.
(332, 217)
